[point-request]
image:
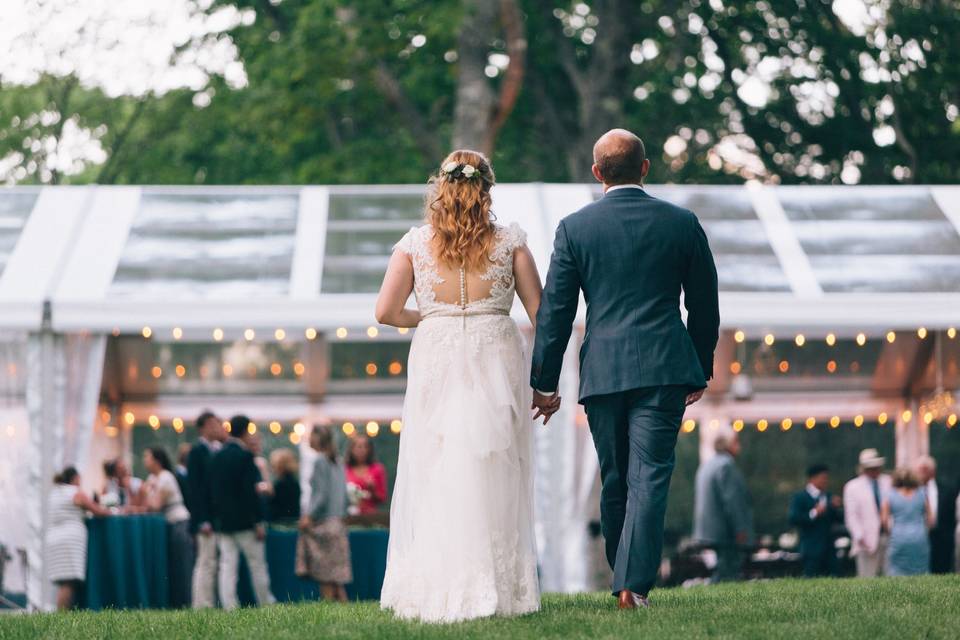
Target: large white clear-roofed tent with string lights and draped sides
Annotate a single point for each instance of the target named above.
(126, 301)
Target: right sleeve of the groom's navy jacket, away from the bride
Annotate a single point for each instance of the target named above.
(700, 297)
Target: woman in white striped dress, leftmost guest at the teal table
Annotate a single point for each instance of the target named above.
(66, 535)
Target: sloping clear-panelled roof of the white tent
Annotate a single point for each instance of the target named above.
(238, 257)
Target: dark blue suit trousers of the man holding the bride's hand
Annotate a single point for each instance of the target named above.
(635, 433)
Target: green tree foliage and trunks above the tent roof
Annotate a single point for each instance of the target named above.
(376, 91)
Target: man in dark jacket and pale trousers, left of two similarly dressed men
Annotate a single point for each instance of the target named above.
(199, 490)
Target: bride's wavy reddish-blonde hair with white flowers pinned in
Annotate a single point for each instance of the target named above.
(458, 209)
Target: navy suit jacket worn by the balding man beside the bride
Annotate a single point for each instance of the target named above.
(631, 254)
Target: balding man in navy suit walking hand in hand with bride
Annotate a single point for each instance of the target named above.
(631, 255)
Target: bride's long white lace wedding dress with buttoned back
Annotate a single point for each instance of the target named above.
(461, 522)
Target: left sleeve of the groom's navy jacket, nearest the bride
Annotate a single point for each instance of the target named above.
(558, 309)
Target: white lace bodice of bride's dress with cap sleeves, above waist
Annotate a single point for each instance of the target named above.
(428, 277)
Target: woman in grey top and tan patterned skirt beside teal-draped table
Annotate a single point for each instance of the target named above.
(323, 549)
